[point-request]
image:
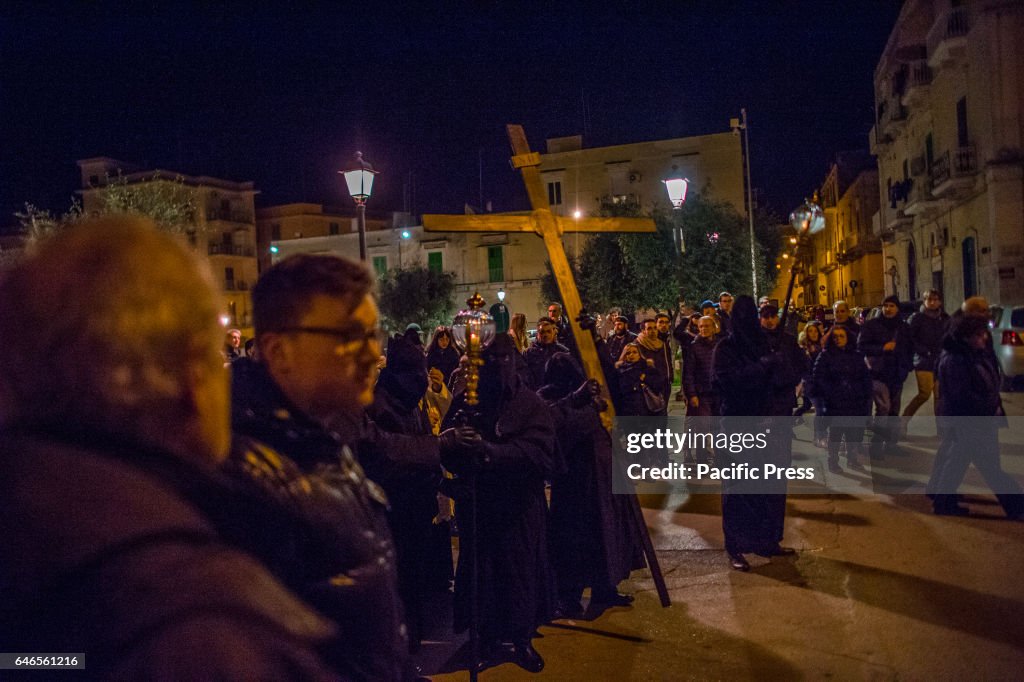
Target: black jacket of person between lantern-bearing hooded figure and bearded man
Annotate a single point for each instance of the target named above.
(842, 381)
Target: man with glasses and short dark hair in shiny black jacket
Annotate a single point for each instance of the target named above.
(297, 417)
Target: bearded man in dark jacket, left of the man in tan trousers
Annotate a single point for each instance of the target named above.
(886, 346)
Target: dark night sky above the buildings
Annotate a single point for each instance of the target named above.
(285, 98)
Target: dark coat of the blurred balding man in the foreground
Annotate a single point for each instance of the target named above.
(118, 551)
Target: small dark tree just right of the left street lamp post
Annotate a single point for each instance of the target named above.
(418, 295)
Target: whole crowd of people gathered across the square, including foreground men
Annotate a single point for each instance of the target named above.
(181, 505)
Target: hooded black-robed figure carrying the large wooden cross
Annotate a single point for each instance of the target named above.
(592, 539)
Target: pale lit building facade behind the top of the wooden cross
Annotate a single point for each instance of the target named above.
(582, 180)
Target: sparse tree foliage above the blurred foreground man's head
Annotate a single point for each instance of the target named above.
(169, 203)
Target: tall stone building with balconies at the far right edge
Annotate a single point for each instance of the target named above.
(950, 142)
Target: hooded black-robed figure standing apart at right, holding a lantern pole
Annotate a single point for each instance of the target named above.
(746, 373)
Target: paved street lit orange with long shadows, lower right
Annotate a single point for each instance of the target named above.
(880, 589)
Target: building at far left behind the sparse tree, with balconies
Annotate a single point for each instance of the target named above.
(225, 229)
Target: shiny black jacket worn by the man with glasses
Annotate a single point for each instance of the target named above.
(294, 460)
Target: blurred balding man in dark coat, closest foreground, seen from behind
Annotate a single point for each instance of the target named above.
(120, 536)
